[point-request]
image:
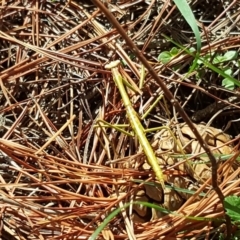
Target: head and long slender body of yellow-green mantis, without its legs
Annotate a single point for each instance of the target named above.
(138, 130)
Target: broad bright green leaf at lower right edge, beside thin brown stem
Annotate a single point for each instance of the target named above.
(232, 206)
